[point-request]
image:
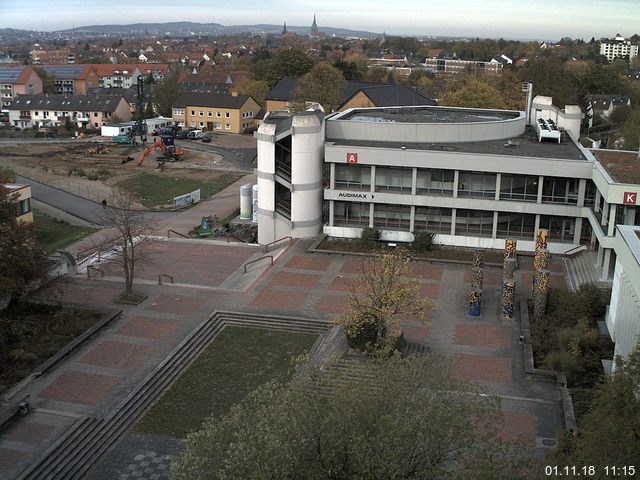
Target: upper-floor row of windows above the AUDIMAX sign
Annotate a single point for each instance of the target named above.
(470, 184)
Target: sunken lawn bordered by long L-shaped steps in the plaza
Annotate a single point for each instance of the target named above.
(237, 361)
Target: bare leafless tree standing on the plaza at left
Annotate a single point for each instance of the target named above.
(130, 228)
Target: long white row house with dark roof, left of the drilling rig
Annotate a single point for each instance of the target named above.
(83, 111)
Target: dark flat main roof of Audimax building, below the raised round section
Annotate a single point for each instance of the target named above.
(526, 145)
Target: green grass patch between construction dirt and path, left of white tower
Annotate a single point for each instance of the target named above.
(156, 190)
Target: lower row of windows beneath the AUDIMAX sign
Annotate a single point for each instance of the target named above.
(475, 223)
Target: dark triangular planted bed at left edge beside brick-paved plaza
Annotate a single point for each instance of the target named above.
(31, 333)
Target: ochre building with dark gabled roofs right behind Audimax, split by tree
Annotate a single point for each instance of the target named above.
(354, 95)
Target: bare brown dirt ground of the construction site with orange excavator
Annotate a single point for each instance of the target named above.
(68, 166)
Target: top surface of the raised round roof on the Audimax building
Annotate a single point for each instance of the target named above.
(427, 114)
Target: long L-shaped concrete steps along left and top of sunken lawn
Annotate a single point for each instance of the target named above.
(82, 445)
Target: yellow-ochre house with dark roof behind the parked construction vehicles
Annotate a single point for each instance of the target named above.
(214, 112)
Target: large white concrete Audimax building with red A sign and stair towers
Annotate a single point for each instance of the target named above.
(472, 177)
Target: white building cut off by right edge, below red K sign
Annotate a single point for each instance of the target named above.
(623, 313)
